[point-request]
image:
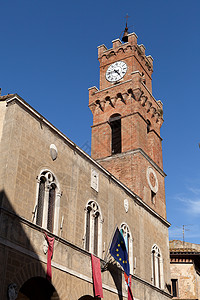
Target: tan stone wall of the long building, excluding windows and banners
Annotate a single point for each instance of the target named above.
(25, 145)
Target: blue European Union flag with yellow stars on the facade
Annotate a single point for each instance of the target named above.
(119, 252)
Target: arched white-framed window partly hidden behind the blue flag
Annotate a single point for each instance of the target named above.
(124, 229)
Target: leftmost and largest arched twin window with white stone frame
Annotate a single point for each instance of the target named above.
(48, 201)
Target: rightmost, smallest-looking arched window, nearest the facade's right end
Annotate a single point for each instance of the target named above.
(157, 267)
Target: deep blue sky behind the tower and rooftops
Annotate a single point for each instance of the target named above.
(48, 55)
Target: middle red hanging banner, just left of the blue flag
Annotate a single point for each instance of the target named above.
(96, 274)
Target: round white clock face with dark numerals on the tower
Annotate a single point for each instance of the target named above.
(116, 71)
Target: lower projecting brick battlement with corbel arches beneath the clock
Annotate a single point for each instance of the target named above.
(133, 96)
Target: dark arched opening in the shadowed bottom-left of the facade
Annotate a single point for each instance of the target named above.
(37, 288)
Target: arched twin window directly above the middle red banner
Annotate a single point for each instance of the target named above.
(93, 228)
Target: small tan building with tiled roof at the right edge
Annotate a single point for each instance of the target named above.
(185, 270)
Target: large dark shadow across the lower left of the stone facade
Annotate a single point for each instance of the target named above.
(21, 269)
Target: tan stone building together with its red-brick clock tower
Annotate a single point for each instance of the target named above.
(48, 184)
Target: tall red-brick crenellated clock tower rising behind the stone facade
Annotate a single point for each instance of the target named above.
(126, 121)
